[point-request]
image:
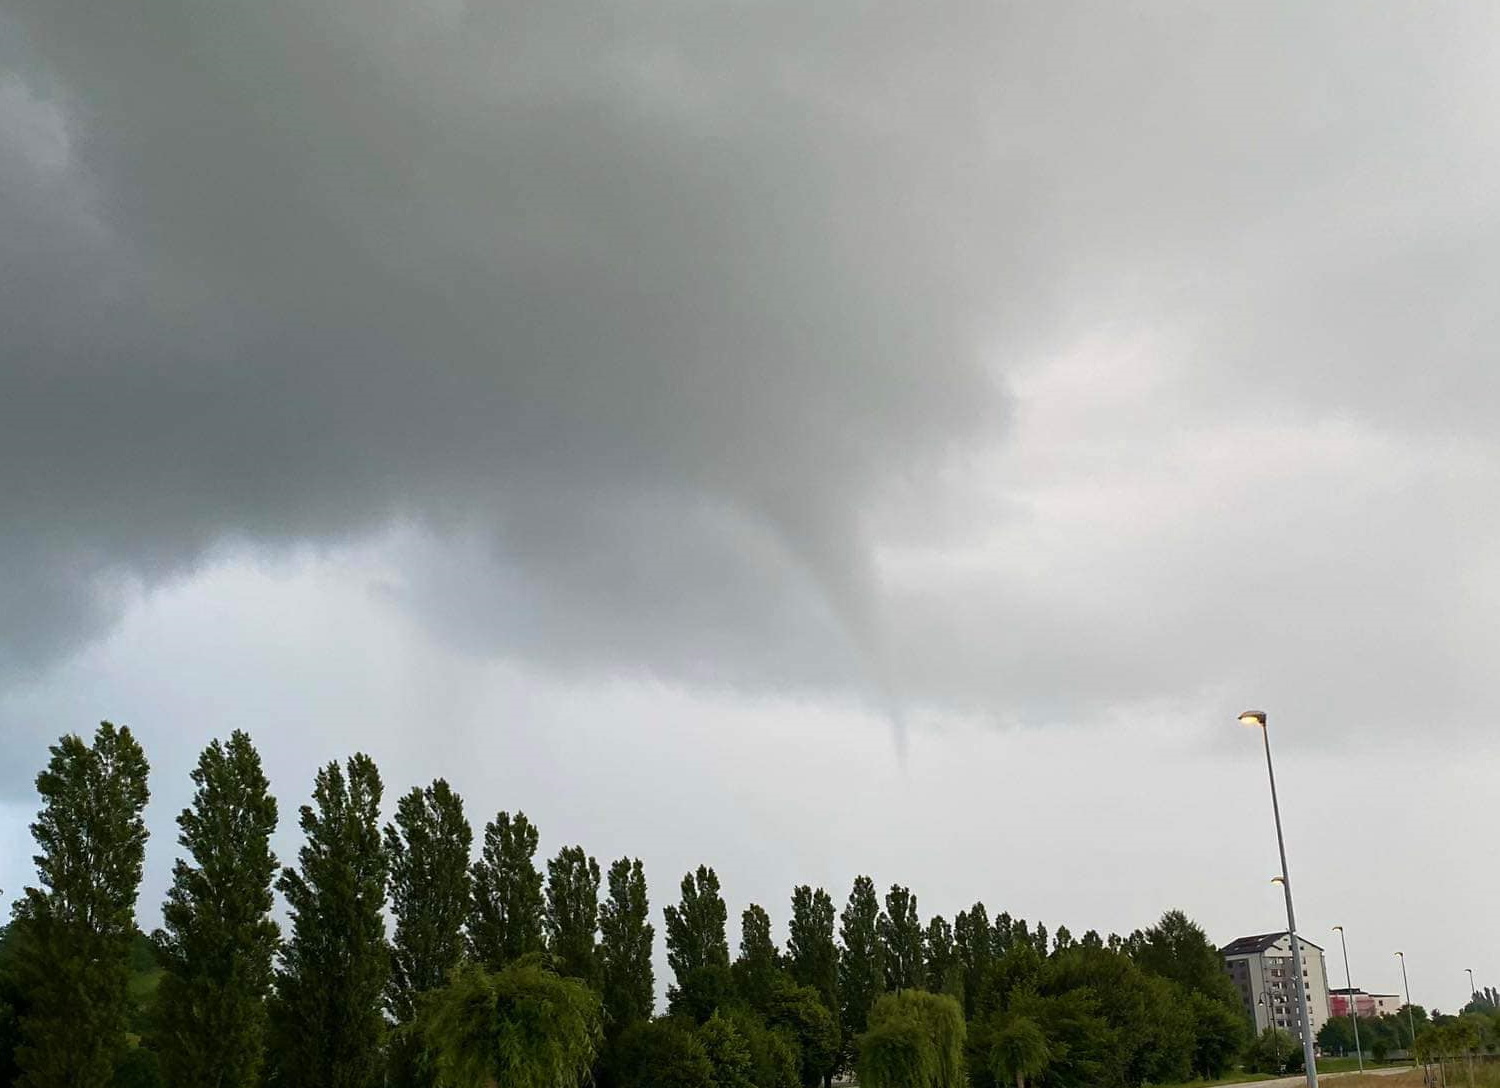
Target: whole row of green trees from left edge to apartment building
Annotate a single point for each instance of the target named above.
(494, 972)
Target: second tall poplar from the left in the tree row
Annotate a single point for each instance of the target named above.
(218, 939)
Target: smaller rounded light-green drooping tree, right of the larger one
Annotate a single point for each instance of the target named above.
(916, 1041)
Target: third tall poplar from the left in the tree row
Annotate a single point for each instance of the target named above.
(328, 1023)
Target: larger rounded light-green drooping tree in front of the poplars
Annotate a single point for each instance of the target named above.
(521, 1027)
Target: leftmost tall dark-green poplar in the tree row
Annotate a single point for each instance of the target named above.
(74, 946)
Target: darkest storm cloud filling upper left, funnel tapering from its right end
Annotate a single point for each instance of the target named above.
(635, 293)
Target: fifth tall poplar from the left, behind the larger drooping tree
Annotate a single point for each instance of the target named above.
(506, 922)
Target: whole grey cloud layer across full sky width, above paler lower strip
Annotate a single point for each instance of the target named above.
(665, 323)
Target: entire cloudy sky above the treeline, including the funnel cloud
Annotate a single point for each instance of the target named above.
(802, 439)
